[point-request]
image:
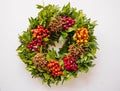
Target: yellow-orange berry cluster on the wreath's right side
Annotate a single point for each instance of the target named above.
(81, 35)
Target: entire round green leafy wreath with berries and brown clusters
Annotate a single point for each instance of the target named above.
(68, 26)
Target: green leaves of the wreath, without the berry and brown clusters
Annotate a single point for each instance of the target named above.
(45, 15)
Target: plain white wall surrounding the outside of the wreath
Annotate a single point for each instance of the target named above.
(105, 76)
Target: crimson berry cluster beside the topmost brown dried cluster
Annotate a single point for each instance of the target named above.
(67, 22)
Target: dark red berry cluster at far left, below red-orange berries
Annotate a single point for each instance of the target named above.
(35, 44)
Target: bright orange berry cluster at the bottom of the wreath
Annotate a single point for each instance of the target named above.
(55, 68)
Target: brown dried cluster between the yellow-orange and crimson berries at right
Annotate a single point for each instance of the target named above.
(76, 51)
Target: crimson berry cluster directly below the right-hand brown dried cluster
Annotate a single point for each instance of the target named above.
(69, 63)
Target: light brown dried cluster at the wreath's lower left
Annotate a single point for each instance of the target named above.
(39, 61)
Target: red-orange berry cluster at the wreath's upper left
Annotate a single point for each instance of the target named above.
(40, 32)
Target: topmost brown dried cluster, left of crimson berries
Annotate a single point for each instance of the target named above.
(56, 25)
